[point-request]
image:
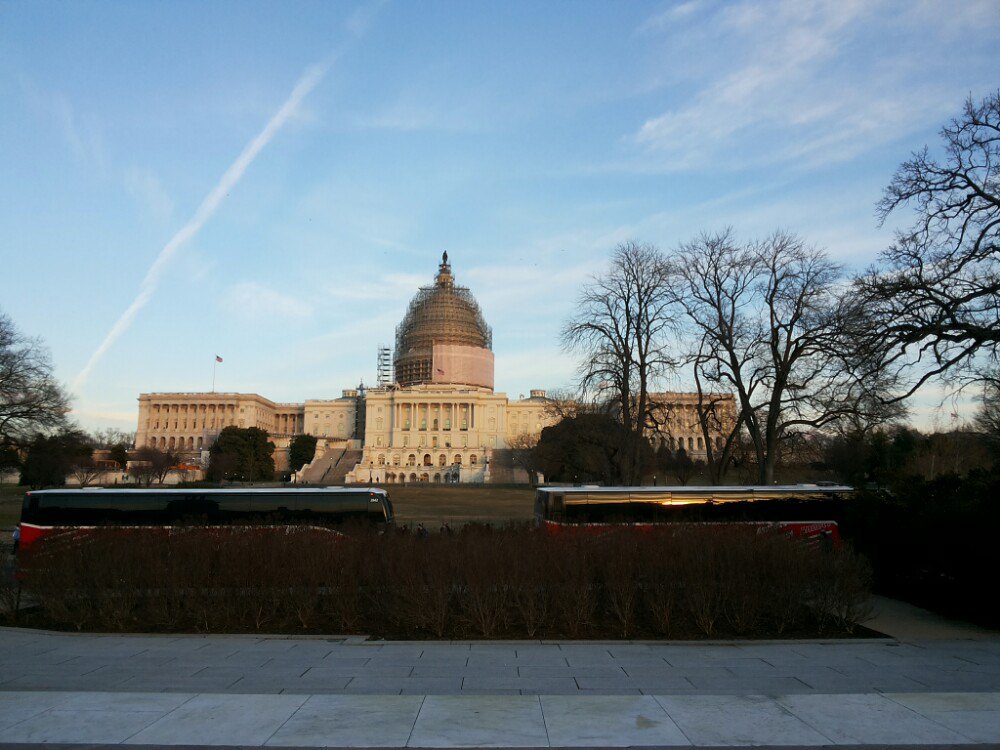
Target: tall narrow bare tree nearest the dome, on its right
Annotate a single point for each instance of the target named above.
(621, 329)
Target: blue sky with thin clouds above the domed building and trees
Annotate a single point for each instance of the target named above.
(527, 139)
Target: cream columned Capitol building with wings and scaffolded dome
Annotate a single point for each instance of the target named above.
(437, 419)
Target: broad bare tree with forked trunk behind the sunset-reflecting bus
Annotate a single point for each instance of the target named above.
(765, 323)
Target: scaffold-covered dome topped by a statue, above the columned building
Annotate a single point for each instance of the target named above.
(443, 337)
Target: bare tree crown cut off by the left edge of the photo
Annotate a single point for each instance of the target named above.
(30, 398)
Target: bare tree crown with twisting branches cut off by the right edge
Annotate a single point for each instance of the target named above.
(932, 308)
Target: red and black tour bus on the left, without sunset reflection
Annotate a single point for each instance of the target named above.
(47, 511)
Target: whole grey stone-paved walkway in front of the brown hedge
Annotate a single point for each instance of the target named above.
(251, 691)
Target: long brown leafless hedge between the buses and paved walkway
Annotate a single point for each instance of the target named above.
(481, 583)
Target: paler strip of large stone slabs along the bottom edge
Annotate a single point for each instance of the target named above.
(447, 721)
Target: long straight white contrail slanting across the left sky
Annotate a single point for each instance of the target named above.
(212, 201)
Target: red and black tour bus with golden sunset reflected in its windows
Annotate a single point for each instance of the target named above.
(806, 510)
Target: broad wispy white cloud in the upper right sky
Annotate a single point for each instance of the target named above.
(802, 83)
